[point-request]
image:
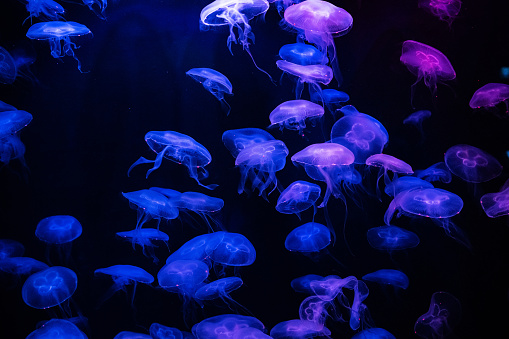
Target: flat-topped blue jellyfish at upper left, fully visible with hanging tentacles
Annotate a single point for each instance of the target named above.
(59, 34)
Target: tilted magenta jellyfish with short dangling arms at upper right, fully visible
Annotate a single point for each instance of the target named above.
(426, 63)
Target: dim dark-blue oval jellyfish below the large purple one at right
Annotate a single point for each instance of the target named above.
(390, 238)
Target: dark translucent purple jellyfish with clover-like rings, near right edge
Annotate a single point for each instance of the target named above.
(472, 164)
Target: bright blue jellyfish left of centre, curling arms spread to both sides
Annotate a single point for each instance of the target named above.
(179, 148)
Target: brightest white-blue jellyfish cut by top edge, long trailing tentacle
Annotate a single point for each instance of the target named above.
(235, 14)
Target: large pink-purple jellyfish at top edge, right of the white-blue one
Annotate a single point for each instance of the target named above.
(319, 22)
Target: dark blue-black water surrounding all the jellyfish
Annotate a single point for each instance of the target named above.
(88, 129)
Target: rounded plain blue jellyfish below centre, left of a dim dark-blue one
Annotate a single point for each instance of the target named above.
(310, 237)
